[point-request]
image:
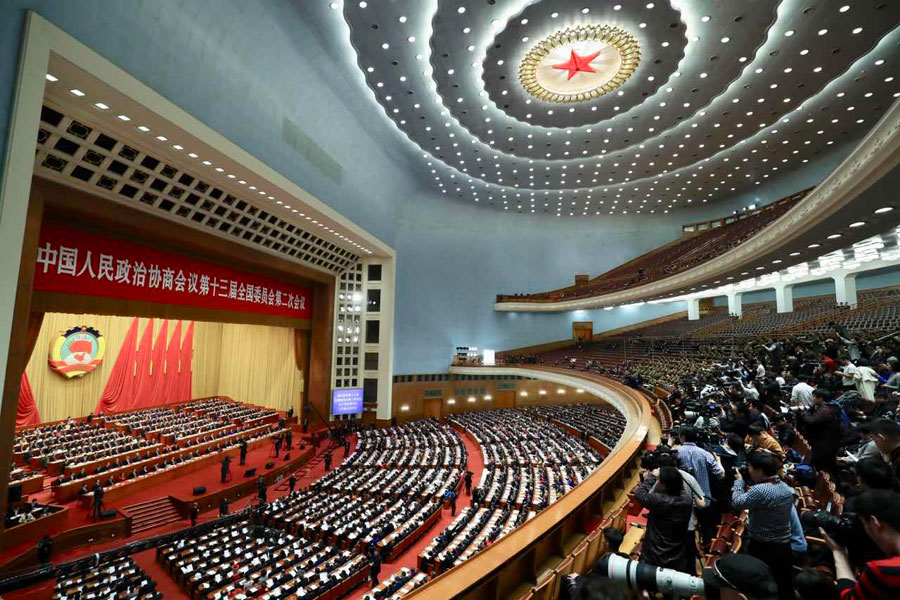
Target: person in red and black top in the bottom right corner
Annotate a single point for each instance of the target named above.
(879, 512)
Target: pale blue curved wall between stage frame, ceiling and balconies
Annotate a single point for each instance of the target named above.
(259, 73)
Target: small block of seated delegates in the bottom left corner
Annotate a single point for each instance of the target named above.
(114, 578)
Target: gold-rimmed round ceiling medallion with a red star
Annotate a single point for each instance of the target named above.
(617, 50)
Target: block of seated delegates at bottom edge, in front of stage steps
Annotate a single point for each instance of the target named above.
(245, 561)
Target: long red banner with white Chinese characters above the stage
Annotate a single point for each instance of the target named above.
(75, 262)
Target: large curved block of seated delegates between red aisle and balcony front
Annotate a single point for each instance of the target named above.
(528, 464)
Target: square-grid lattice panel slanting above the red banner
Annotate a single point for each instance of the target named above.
(75, 151)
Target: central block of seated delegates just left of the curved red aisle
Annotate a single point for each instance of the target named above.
(383, 494)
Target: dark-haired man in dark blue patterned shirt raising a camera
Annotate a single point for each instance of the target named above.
(769, 502)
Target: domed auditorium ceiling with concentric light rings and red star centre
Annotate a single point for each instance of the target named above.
(576, 108)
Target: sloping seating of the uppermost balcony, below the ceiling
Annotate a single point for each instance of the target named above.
(670, 259)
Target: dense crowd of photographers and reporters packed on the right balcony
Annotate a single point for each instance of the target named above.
(802, 437)
